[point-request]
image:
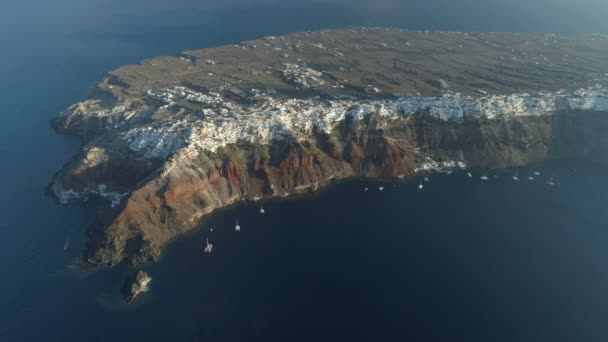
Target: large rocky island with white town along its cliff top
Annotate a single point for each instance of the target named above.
(171, 139)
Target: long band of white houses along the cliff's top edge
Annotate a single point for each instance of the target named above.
(223, 123)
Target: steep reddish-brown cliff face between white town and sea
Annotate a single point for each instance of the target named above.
(175, 201)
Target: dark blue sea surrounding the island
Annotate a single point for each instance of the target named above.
(462, 260)
